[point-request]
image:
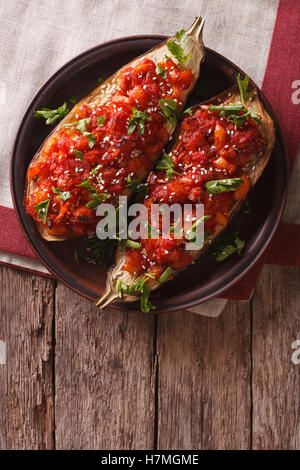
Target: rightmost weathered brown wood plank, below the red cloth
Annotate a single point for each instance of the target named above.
(276, 380)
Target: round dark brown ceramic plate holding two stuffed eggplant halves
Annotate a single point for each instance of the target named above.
(199, 282)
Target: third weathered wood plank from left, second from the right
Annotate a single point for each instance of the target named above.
(204, 380)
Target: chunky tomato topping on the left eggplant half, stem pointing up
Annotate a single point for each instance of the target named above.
(90, 160)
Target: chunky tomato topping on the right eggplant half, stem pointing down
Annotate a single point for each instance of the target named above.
(210, 147)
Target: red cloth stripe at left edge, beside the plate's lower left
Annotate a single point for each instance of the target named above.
(12, 238)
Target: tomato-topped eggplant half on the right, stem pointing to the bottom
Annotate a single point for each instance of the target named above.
(219, 152)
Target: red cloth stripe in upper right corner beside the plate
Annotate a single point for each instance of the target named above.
(282, 76)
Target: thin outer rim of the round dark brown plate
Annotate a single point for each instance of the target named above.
(124, 306)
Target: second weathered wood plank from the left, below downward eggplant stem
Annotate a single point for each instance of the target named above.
(105, 376)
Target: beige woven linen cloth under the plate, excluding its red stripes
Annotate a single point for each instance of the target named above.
(39, 36)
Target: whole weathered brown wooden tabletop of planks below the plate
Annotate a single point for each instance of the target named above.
(75, 378)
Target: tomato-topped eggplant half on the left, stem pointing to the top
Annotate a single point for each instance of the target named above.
(111, 137)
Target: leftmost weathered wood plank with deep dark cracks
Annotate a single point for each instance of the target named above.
(26, 386)
